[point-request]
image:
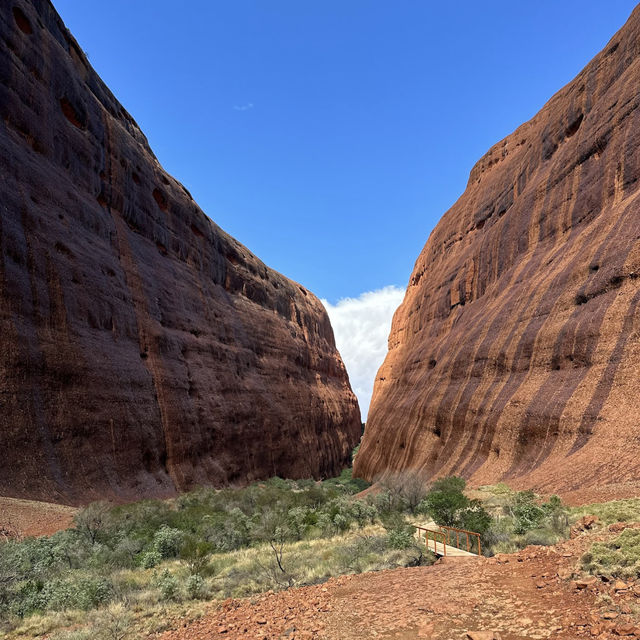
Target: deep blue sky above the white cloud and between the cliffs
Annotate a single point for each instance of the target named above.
(329, 136)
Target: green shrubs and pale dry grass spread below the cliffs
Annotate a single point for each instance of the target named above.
(127, 571)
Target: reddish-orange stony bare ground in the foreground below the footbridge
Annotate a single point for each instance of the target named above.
(531, 594)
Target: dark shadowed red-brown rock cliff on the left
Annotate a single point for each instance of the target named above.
(144, 351)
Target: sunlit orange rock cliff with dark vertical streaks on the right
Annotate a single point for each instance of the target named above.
(516, 351)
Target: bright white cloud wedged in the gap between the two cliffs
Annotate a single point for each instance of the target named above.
(361, 326)
